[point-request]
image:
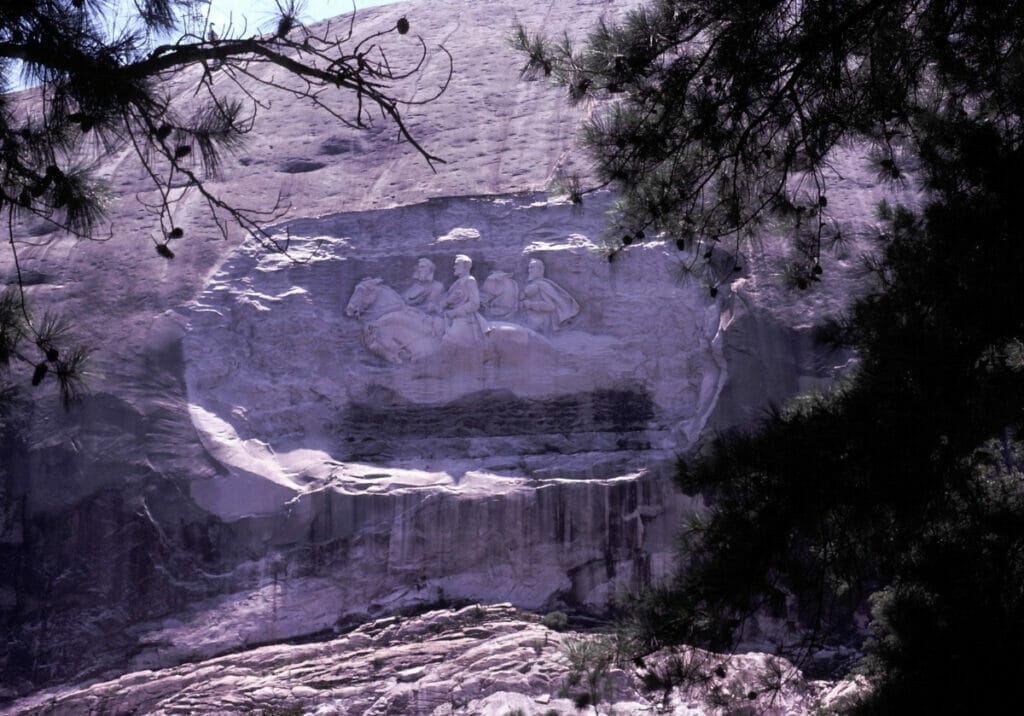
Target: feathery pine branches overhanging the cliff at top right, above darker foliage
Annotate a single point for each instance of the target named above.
(720, 115)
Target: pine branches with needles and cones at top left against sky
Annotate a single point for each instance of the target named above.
(107, 80)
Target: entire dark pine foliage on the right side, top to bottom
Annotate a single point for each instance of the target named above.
(901, 494)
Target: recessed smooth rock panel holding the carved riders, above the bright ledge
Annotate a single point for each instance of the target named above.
(392, 322)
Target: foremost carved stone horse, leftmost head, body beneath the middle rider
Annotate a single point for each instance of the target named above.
(400, 333)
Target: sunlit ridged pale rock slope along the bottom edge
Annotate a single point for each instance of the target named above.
(475, 661)
